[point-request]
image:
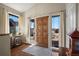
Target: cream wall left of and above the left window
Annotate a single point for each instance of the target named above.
(4, 10)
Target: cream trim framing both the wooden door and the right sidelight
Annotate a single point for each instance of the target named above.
(49, 26)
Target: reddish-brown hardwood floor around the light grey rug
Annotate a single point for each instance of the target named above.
(17, 51)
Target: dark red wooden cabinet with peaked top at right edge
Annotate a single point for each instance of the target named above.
(74, 42)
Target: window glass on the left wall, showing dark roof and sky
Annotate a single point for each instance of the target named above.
(13, 22)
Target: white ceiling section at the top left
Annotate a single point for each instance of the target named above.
(21, 7)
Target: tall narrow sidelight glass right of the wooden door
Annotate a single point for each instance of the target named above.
(55, 31)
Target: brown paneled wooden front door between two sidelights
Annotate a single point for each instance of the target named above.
(42, 31)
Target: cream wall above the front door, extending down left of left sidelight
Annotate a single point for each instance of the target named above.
(44, 9)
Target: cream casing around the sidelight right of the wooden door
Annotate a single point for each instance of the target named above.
(62, 38)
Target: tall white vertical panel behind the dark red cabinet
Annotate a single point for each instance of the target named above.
(70, 20)
